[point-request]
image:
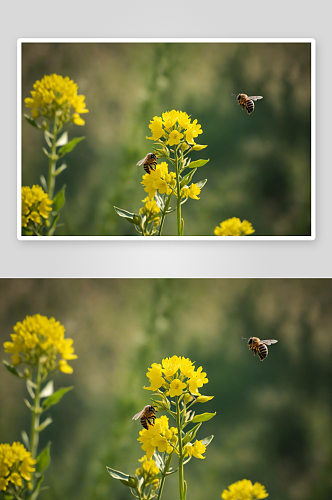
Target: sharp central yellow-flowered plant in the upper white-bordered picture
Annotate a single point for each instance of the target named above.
(174, 135)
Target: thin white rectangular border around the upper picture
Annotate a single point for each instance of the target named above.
(312, 41)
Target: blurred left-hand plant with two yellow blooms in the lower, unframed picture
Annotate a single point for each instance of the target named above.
(39, 349)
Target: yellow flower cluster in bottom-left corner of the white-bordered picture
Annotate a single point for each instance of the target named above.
(35, 204)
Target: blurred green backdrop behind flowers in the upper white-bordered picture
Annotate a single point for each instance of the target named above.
(259, 166)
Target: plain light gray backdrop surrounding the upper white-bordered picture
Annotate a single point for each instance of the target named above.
(197, 19)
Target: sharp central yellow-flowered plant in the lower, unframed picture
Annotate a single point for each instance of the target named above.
(175, 384)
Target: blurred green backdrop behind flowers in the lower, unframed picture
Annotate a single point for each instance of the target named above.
(273, 422)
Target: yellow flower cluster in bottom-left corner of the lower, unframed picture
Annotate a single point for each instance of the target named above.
(16, 464)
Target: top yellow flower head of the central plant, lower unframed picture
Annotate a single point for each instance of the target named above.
(177, 375)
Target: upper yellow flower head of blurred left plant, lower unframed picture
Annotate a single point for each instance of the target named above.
(39, 339)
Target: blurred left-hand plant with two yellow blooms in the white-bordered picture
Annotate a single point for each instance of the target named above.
(55, 105)
